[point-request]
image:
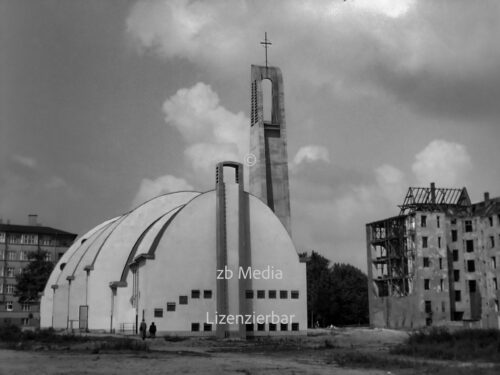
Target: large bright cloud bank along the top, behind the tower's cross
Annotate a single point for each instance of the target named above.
(416, 52)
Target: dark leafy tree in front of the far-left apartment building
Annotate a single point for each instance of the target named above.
(34, 276)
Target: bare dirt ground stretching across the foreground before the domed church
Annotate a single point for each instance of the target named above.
(201, 356)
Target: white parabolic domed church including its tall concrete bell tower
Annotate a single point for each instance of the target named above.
(217, 263)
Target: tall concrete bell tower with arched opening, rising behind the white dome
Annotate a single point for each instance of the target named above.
(269, 174)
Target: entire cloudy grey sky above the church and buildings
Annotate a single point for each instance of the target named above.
(104, 104)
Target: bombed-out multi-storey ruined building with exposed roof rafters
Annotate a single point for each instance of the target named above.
(436, 263)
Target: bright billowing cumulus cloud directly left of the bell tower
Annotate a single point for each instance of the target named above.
(211, 132)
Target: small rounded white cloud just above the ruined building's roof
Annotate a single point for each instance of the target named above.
(445, 163)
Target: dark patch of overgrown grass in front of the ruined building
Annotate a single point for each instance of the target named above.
(463, 345)
